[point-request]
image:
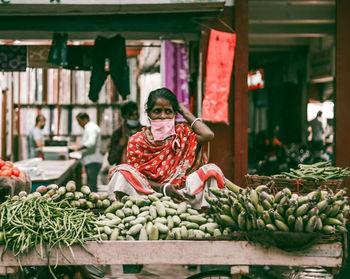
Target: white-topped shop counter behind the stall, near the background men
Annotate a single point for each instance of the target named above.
(45, 172)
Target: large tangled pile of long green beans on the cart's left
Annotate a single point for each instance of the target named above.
(35, 222)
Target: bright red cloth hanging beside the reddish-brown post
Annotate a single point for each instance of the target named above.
(221, 51)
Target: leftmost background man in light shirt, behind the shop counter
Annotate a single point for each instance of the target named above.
(36, 137)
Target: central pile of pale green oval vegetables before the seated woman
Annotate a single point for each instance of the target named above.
(154, 217)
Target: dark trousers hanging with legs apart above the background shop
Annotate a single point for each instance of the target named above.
(109, 57)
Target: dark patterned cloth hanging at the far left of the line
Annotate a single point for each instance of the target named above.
(13, 58)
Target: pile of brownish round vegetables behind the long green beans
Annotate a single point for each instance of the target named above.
(84, 199)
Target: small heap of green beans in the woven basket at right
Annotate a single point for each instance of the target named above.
(318, 171)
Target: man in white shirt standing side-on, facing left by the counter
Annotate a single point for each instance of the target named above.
(90, 147)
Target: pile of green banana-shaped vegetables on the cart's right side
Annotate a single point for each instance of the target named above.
(258, 209)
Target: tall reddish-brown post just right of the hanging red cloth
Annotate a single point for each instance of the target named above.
(240, 109)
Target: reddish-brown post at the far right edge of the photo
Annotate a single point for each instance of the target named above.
(342, 111)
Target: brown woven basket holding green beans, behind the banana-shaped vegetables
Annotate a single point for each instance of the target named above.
(299, 186)
